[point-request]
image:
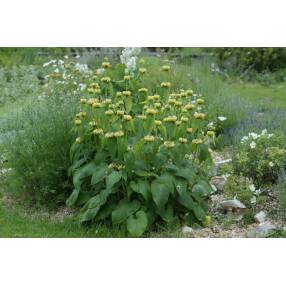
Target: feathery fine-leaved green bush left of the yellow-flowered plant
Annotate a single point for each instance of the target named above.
(39, 152)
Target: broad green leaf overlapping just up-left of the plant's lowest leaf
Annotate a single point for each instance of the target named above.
(123, 210)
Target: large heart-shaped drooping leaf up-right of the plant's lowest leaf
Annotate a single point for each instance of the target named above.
(161, 188)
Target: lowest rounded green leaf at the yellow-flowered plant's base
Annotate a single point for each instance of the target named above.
(137, 224)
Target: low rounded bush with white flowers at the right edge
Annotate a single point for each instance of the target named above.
(260, 157)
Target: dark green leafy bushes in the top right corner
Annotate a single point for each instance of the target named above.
(257, 59)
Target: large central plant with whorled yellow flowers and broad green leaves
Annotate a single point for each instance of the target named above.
(139, 157)
